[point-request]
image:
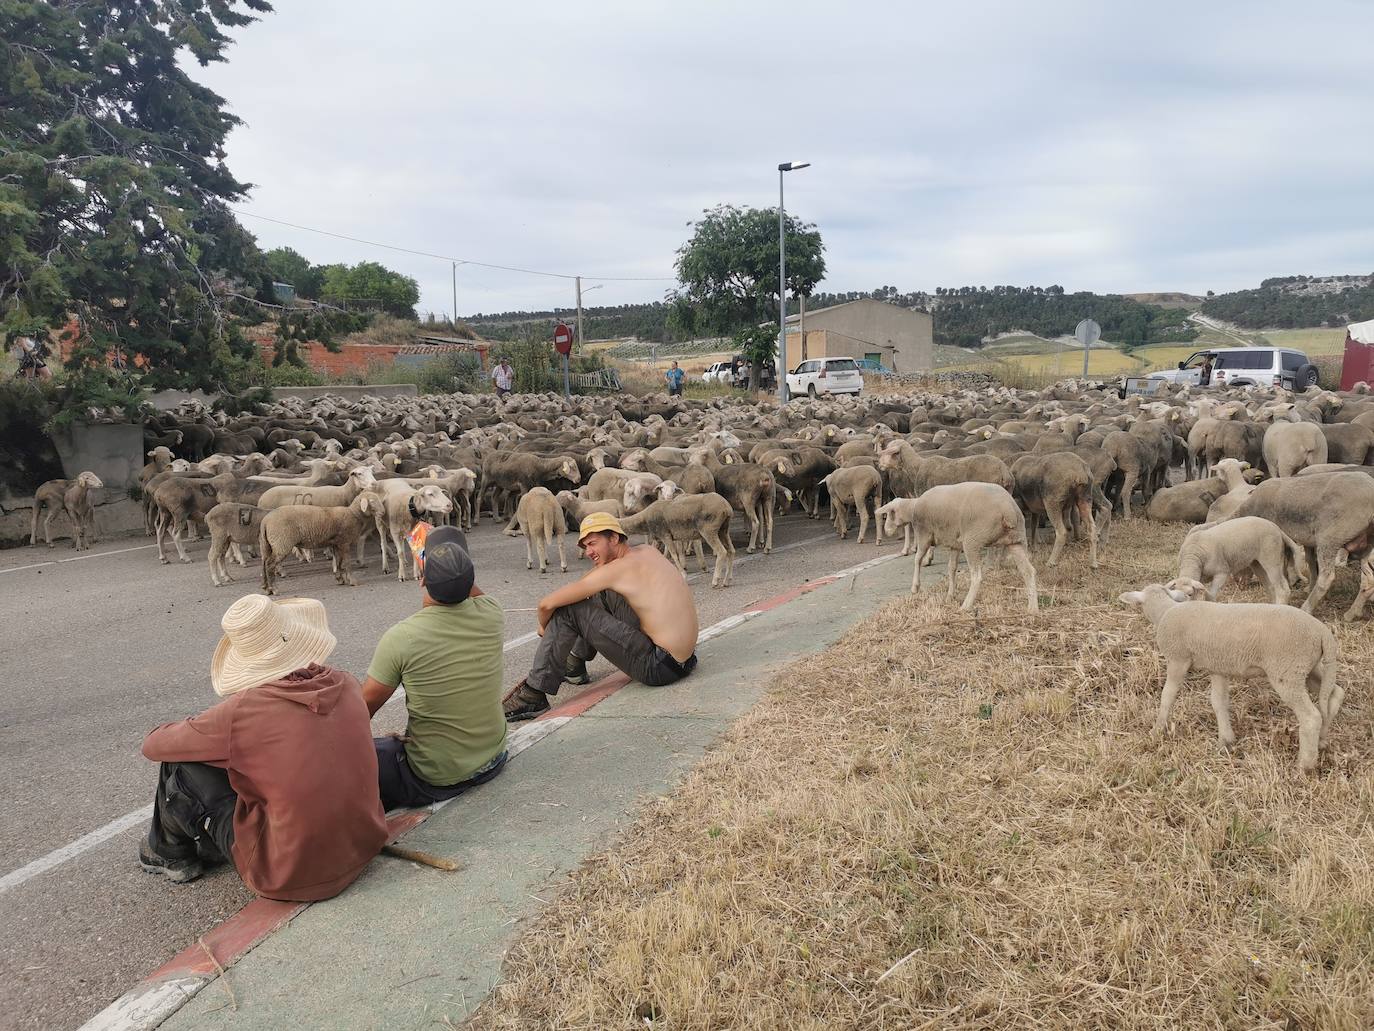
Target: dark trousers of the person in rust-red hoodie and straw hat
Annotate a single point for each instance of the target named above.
(193, 814)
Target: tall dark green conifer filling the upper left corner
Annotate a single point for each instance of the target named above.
(113, 186)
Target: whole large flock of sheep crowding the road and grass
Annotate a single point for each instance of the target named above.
(1276, 482)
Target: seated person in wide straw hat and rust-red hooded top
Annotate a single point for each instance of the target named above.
(281, 779)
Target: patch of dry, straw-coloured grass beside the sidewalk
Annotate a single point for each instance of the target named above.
(947, 821)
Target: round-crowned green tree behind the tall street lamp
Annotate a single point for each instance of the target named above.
(729, 274)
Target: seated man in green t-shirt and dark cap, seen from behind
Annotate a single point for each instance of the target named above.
(450, 656)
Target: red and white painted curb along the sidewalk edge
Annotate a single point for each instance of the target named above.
(164, 992)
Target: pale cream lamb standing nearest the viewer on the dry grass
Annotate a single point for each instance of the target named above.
(1291, 648)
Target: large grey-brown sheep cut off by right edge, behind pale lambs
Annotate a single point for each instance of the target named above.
(1332, 516)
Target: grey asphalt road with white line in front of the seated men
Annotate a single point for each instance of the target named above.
(101, 650)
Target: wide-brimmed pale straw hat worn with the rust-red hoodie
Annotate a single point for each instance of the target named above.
(266, 640)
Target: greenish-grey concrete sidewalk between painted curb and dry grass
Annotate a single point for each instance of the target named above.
(410, 946)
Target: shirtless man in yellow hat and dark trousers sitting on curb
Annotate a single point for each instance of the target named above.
(634, 608)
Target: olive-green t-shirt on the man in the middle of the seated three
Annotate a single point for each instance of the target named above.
(450, 659)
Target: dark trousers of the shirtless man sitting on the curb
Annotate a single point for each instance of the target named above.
(604, 625)
